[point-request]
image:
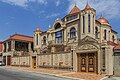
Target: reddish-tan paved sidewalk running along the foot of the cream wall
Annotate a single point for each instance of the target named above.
(60, 73)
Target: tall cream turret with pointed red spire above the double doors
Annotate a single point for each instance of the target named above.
(88, 21)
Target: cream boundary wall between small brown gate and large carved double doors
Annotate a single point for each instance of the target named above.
(63, 59)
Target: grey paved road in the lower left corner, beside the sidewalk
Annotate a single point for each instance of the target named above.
(13, 74)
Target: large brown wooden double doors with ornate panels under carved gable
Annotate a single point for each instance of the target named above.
(87, 62)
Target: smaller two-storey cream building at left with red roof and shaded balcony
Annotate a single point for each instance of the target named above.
(17, 50)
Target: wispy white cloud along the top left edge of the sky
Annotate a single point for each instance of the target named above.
(24, 3)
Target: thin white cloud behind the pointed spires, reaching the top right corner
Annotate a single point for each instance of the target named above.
(109, 8)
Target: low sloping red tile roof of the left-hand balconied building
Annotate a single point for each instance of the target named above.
(20, 37)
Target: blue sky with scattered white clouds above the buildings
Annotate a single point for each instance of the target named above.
(24, 16)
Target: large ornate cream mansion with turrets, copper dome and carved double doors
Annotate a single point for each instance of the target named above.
(77, 42)
